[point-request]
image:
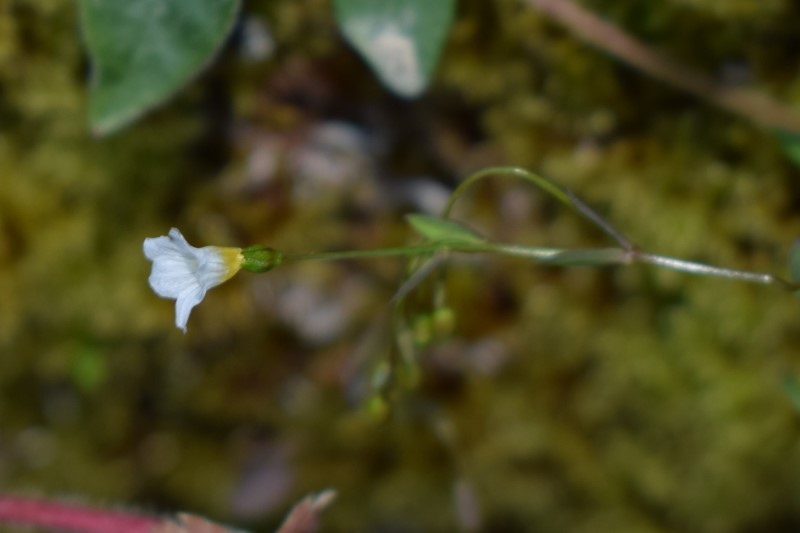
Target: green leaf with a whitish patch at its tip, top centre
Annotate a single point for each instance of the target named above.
(401, 40)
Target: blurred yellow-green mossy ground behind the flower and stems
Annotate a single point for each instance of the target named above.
(564, 399)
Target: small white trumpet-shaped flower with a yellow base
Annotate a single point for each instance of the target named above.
(184, 273)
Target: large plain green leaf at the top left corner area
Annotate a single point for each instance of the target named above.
(143, 51)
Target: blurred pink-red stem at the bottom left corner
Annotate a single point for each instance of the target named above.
(63, 517)
